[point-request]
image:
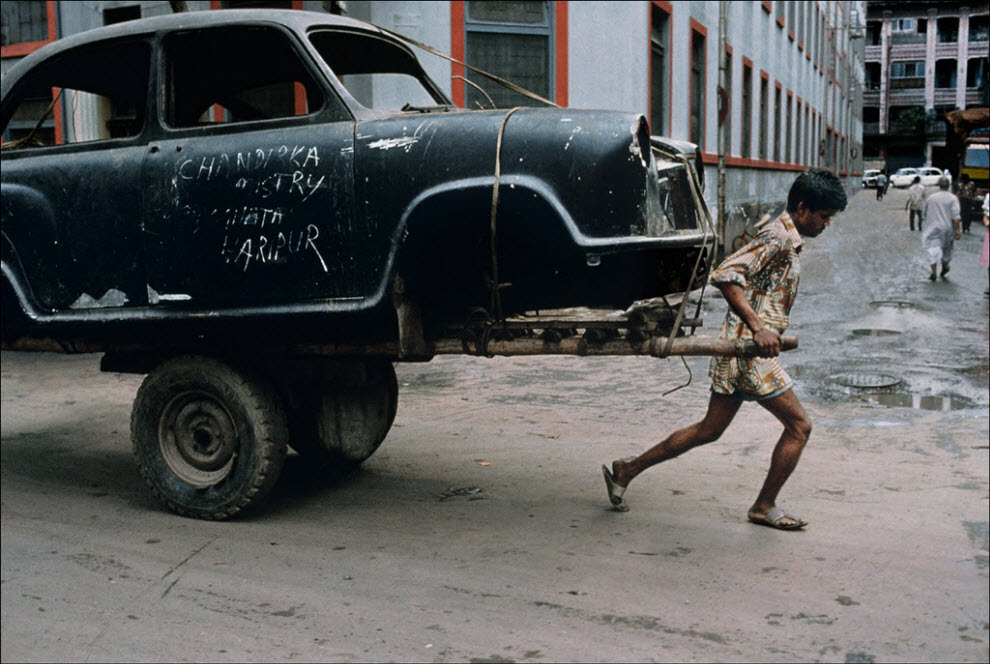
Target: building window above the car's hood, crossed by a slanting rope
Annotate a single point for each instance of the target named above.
(511, 40)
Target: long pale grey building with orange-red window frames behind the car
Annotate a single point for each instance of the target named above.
(787, 95)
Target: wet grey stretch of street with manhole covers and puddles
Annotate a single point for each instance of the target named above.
(868, 307)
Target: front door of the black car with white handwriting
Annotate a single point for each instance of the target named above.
(187, 290)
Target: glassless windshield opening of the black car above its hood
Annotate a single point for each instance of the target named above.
(377, 73)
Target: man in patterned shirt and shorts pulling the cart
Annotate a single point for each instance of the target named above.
(759, 282)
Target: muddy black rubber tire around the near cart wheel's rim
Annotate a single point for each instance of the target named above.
(253, 412)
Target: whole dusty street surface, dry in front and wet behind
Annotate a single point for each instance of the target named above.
(480, 531)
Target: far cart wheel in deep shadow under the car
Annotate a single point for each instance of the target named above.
(342, 416)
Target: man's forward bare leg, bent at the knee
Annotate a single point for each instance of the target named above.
(797, 429)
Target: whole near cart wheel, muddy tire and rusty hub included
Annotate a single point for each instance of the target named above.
(209, 439)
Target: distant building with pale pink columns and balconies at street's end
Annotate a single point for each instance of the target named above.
(923, 59)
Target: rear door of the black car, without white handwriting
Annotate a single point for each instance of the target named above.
(83, 269)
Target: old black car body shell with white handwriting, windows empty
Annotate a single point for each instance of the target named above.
(132, 238)
